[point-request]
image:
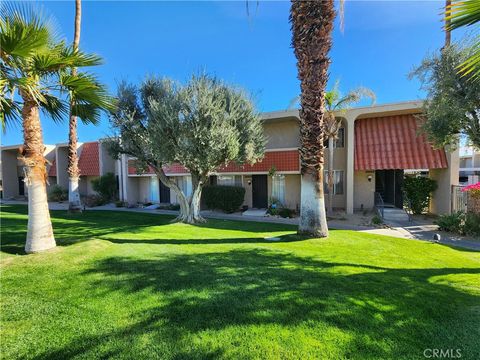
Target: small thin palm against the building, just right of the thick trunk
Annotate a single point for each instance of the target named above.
(336, 104)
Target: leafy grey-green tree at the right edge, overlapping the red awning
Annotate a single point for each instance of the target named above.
(452, 107)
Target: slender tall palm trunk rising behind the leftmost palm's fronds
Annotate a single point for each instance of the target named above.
(74, 204)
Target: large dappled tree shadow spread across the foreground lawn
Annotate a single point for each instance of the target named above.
(382, 312)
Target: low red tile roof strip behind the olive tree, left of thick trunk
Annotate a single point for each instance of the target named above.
(285, 160)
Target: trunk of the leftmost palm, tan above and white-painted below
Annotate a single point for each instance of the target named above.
(39, 232)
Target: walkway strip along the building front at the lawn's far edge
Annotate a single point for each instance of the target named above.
(399, 227)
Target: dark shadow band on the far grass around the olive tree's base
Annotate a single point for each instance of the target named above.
(91, 224)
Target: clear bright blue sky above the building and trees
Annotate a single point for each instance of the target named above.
(381, 43)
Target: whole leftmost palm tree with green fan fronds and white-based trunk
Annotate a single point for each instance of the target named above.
(35, 72)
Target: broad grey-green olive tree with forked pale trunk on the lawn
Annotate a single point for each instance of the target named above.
(202, 125)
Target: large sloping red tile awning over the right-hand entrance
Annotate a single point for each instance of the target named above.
(392, 142)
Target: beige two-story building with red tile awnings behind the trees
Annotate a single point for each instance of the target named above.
(375, 146)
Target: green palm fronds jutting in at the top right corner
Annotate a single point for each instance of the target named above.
(465, 13)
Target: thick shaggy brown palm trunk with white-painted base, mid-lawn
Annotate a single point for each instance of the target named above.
(312, 25)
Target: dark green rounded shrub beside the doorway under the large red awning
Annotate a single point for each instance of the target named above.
(418, 191)
